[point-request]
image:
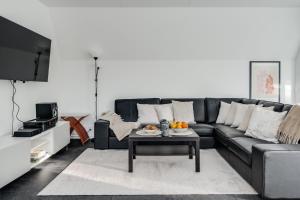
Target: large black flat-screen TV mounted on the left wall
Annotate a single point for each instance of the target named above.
(24, 54)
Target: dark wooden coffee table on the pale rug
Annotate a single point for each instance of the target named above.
(192, 140)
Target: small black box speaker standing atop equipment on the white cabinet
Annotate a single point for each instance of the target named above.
(46, 111)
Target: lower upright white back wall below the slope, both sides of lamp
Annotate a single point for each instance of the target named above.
(137, 79)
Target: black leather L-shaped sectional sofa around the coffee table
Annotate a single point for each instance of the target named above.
(272, 169)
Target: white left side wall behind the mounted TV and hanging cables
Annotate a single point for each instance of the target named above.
(35, 16)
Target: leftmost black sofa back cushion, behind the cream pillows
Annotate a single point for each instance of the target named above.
(127, 108)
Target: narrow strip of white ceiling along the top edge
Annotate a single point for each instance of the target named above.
(172, 3)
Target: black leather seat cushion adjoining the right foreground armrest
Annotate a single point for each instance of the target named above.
(242, 147)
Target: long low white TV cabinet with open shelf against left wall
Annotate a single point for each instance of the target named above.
(15, 152)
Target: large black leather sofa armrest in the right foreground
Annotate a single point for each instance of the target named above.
(275, 170)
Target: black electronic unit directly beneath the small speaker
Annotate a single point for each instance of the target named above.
(40, 124)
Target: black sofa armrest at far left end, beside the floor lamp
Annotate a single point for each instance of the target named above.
(101, 132)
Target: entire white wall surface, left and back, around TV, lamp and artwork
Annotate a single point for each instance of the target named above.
(151, 53)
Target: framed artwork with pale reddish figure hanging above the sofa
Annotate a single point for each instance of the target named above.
(265, 80)
